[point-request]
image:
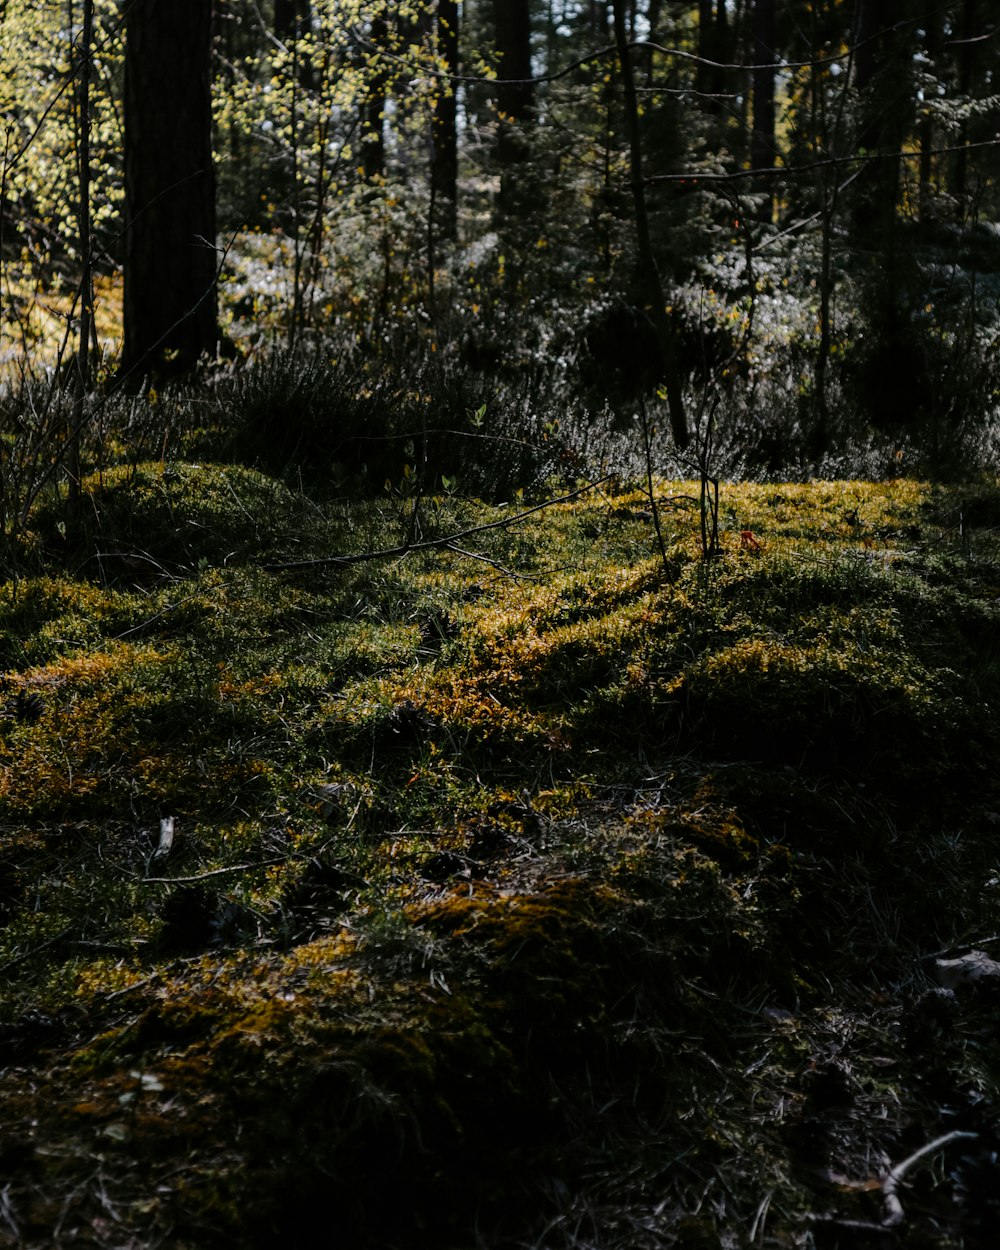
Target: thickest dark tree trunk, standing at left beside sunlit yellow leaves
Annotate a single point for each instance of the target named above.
(171, 309)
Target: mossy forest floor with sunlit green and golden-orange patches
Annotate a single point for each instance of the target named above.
(546, 887)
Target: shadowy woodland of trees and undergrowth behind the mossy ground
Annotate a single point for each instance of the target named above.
(767, 227)
